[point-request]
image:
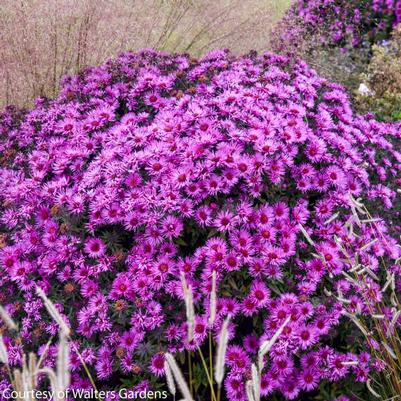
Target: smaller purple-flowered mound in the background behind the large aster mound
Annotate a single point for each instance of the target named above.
(337, 23)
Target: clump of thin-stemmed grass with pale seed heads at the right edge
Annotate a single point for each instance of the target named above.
(371, 302)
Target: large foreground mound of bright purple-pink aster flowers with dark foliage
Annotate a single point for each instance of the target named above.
(153, 166)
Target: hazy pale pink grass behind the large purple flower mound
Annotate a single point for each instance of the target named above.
(43, 40)
